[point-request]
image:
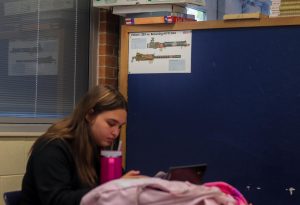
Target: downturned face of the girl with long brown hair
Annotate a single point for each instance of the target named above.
(105, 127)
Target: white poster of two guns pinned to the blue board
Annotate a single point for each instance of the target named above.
(160, 52)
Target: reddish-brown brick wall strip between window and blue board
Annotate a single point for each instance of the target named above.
(109, 27)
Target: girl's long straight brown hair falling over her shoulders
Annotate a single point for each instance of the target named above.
(75, 129)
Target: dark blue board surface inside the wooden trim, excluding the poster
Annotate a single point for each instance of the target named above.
(238, 111)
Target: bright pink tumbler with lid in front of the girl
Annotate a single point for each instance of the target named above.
(111, 165)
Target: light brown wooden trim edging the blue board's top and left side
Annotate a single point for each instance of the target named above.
(238, 23)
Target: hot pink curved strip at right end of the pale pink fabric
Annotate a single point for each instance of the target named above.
(228, 189)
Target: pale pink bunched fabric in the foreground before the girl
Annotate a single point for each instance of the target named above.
(156, 191)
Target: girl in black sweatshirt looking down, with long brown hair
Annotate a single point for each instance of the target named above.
(63, 163)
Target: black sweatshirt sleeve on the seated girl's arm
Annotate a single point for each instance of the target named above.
(55, 176)
